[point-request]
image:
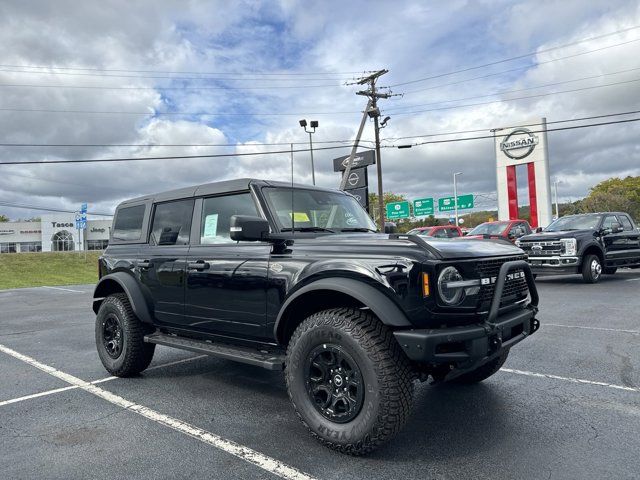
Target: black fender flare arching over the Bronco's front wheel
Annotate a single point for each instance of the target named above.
(381, 305)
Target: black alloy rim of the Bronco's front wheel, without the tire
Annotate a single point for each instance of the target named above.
(334, 383)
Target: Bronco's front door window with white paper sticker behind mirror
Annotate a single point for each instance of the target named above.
(216, 216)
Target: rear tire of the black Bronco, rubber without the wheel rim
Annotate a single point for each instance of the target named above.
(135, 355)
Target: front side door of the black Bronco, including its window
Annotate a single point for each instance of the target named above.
(226, 280)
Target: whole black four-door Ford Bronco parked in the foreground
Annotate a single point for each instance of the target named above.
(296, 278)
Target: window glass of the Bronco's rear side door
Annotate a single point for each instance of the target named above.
(172, 223)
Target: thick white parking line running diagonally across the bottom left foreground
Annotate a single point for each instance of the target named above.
(247, 454)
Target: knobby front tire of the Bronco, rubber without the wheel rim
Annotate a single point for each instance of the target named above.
(388, 379)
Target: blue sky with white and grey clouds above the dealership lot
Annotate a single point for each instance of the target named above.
(137, 79)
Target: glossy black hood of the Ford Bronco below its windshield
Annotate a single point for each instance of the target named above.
(444, 248)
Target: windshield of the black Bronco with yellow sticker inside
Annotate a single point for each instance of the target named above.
(302, 209)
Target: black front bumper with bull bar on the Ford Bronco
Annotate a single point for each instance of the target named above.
(464, 347)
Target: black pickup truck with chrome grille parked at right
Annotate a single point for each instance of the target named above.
(590, 244)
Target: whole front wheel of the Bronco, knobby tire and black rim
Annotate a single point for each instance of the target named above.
(348, 380)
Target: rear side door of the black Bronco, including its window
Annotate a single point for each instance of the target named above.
(161, 263)
